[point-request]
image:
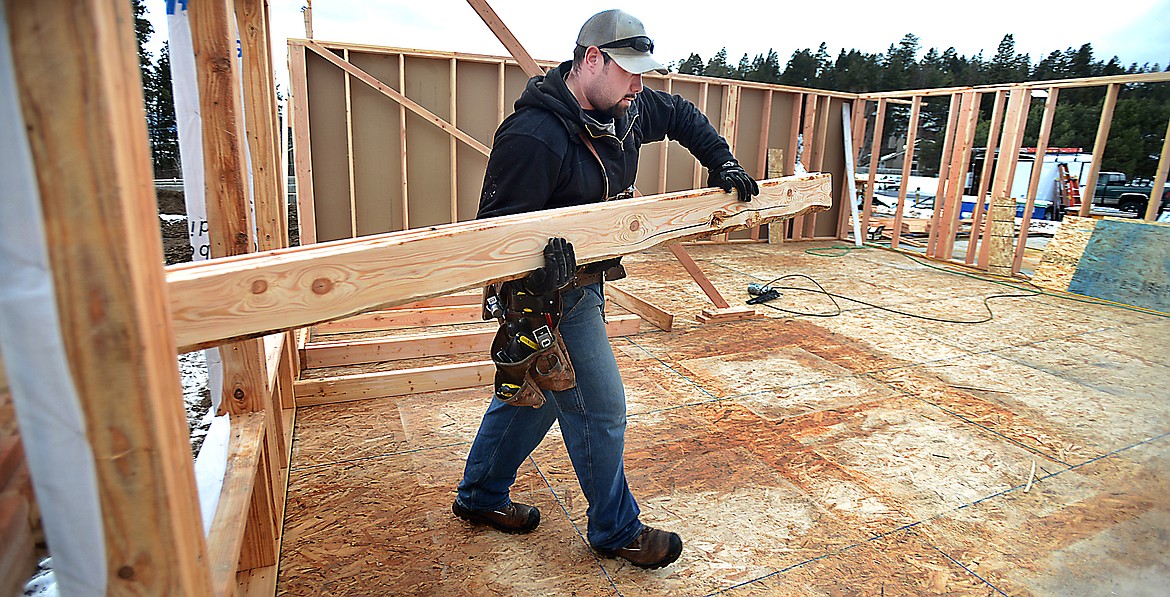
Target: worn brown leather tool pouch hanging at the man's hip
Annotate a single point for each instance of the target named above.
(520, 383)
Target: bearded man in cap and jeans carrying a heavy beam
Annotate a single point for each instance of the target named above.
(575, 140)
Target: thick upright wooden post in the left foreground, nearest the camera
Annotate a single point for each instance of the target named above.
(78, 78)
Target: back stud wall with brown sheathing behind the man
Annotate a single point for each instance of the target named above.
(423, 90)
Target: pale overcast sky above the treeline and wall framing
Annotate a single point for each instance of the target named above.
(1134, 31)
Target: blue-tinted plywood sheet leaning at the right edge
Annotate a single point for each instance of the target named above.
(1127, 263)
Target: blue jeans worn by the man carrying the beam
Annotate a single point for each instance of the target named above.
(593, 423)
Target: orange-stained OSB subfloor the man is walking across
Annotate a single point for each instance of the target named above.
(869, 454)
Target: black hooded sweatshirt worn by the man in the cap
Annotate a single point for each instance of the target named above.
(539, 161)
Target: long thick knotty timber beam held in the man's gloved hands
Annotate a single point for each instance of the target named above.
(245, 297)
